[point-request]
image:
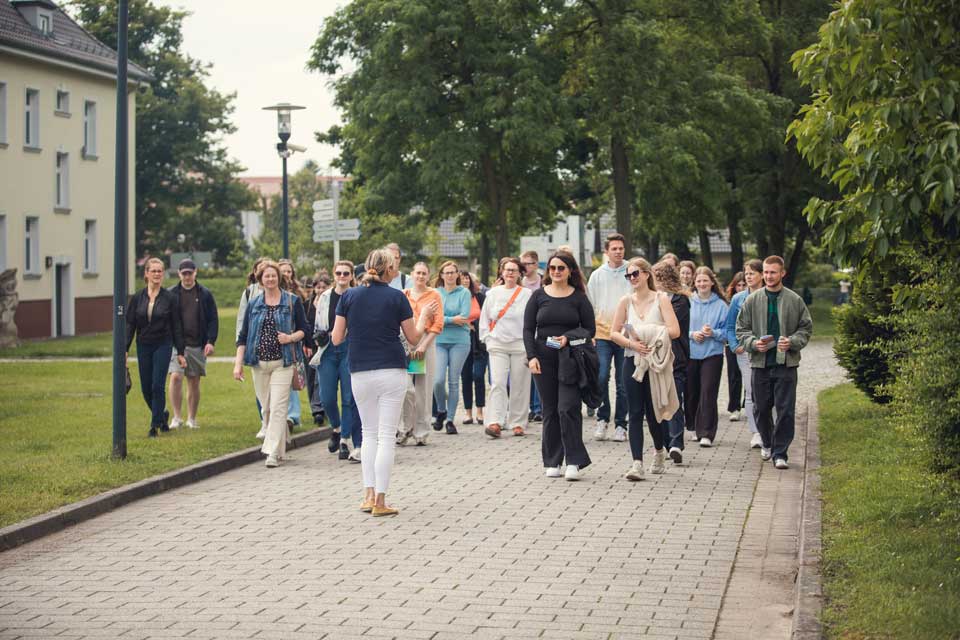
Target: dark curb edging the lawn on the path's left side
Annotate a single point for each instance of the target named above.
(76, 512)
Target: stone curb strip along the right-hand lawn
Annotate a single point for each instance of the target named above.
(809, 603)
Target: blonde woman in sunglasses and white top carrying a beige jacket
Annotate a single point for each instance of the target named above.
(641, 316)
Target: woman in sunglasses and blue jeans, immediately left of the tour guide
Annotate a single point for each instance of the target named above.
(333, 370)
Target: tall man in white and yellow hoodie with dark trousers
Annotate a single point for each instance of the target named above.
(606, 287)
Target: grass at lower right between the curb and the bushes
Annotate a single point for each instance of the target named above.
(891, 532)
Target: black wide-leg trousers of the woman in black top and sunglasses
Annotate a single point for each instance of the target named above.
(562, 420)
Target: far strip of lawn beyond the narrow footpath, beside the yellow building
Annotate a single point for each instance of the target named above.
(226, 291)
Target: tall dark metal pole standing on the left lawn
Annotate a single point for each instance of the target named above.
(120, 236)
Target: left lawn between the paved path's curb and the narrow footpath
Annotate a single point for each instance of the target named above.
(56, 425)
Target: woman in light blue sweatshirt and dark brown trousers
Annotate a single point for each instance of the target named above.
(708, 315)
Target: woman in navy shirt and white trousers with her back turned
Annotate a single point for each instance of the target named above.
(374, 315)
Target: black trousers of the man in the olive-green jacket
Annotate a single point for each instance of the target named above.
(775, 387)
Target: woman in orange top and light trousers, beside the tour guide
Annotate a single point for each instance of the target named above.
(417, 403)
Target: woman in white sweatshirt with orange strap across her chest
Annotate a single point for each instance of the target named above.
(501, 330)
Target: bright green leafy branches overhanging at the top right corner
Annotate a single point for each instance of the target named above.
(883, 127)
